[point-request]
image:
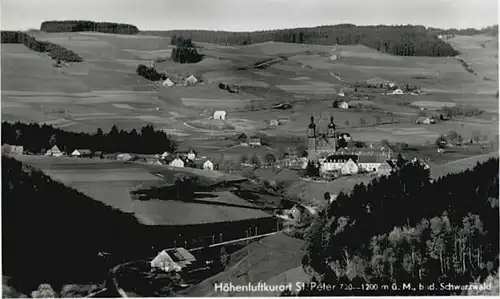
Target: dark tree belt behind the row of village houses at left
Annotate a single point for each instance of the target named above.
(38, 138)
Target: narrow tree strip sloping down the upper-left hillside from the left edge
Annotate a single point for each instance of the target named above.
(55, 52)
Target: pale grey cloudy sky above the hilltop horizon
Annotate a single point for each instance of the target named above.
(249, 15)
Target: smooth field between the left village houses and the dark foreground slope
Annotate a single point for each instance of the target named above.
(110, 182)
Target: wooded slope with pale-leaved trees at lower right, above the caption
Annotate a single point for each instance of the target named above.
(409, 229)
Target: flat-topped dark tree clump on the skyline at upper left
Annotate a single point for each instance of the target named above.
(78, 26)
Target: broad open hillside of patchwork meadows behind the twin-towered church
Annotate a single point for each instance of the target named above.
(104, 89)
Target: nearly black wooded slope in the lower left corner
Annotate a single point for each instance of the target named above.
(53, 234)
